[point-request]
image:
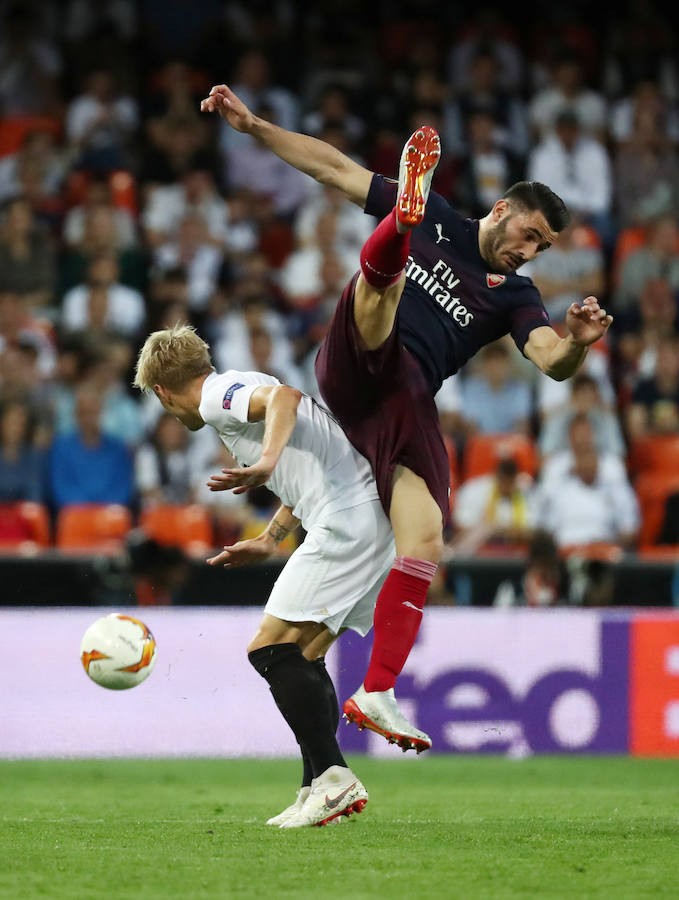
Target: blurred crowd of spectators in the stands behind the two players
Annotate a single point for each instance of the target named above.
(123, 209)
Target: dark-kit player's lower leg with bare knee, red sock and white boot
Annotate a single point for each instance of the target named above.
(417, 524)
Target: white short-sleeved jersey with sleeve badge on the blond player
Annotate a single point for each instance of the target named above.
(318, 473)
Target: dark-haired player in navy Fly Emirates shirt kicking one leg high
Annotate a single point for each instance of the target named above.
(433, 289)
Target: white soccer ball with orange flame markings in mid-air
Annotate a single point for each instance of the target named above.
(118, 652)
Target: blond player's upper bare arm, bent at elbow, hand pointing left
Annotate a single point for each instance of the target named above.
(277, 407)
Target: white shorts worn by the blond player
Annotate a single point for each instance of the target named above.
(334, 577)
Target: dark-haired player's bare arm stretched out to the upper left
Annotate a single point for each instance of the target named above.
(311, 156)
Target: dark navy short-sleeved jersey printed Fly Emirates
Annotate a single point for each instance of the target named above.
(451, 304)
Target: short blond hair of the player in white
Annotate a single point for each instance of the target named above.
(172, 358)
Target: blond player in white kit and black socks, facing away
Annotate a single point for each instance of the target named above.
(284, 439)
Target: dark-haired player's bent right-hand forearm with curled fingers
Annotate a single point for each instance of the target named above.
(560, 358)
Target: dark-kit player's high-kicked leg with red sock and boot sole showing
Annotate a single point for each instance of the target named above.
(385, 253)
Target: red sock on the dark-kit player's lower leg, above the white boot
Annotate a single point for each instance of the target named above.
(398, 614)
